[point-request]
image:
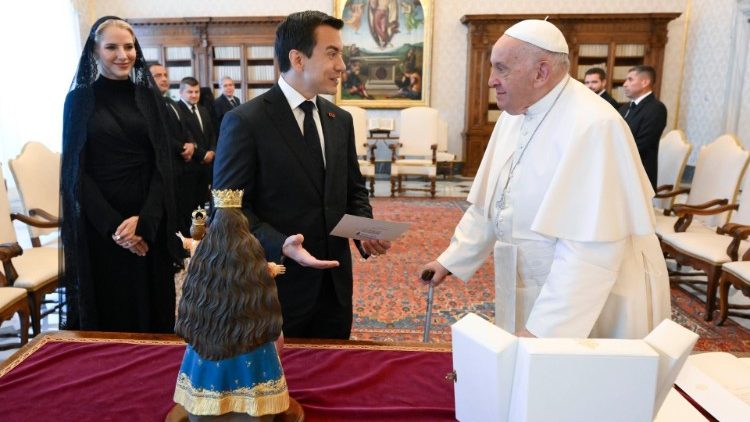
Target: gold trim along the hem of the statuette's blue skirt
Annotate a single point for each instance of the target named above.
(266, 398)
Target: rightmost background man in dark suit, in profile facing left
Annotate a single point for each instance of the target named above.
(646, 116)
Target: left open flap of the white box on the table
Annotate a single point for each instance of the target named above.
(483, 359)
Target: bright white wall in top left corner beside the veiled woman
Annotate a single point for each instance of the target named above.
(40, 53)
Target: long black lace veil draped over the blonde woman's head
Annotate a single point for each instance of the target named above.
(77, 299)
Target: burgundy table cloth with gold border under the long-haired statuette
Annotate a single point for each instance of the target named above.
(65, 378)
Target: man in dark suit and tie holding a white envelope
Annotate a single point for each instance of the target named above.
(293, 153)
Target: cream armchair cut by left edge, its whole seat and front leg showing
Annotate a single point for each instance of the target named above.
(34, 269)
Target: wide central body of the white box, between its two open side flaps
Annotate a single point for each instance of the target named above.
(584, 380)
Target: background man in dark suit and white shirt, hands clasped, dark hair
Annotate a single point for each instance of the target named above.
(197, 175)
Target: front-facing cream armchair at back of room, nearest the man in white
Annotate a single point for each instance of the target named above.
(415, 153)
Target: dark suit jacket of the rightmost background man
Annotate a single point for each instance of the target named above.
(647, 122)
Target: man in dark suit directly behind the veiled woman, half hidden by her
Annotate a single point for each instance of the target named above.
(180, 143)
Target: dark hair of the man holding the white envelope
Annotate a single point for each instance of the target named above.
(297, 32)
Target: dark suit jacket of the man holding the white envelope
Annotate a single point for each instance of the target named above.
(262, 150)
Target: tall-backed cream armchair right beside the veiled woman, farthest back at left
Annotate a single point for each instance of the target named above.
(36, 172)
